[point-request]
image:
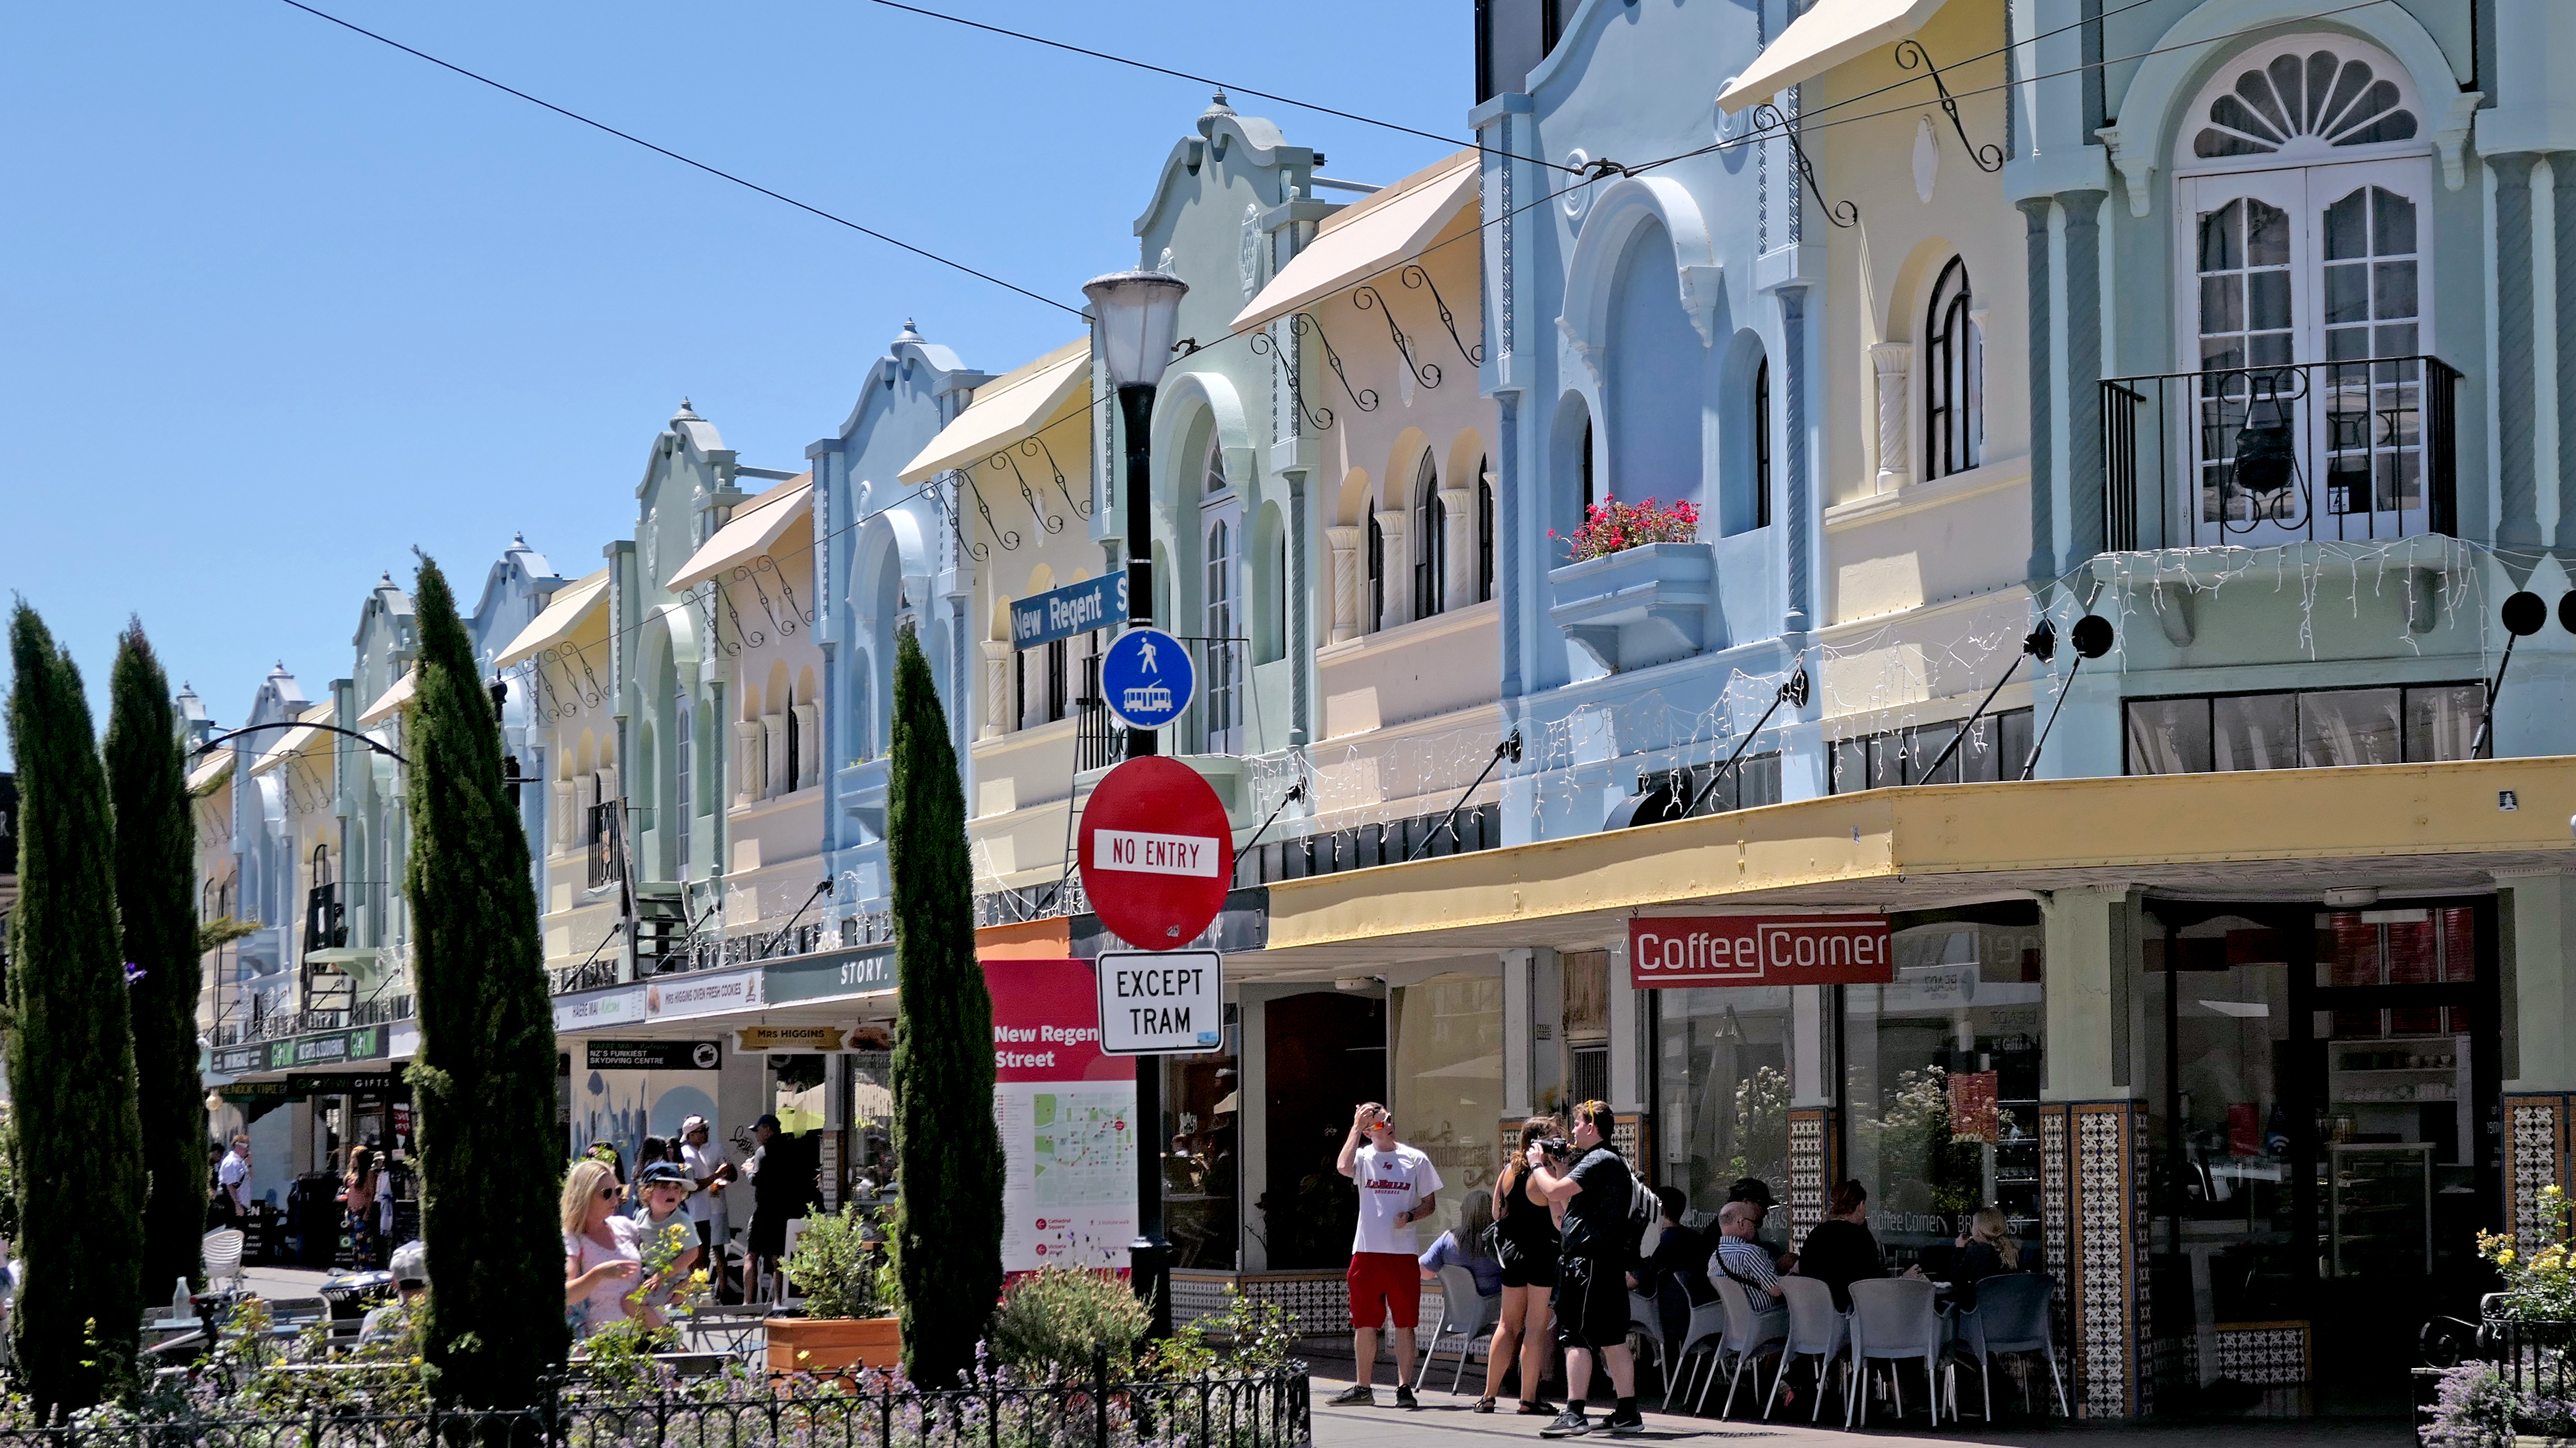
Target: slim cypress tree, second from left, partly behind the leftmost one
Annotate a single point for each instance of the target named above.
(156, 877)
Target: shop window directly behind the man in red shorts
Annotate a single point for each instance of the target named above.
(1449, 1086)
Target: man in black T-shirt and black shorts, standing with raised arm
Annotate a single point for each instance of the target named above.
(1593, 1259)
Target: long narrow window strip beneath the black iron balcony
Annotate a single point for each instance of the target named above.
(2304, 730)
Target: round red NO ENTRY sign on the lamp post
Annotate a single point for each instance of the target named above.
(1158, 854)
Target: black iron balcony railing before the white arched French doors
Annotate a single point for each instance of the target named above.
(2278, 455)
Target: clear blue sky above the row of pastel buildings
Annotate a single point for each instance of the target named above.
(279, 303)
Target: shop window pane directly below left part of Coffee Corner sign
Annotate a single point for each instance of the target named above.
(1722, 1091)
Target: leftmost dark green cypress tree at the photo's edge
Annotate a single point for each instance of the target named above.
(71, 1047)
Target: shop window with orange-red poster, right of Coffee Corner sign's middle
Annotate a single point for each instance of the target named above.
(1941, 1083)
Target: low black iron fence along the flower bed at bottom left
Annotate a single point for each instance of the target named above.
(743, 1413)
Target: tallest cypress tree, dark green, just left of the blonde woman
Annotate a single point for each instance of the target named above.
(491, 1158)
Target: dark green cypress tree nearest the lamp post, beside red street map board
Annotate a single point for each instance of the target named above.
(944, 1138)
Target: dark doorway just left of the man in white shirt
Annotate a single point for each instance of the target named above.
(1325, 1055)
